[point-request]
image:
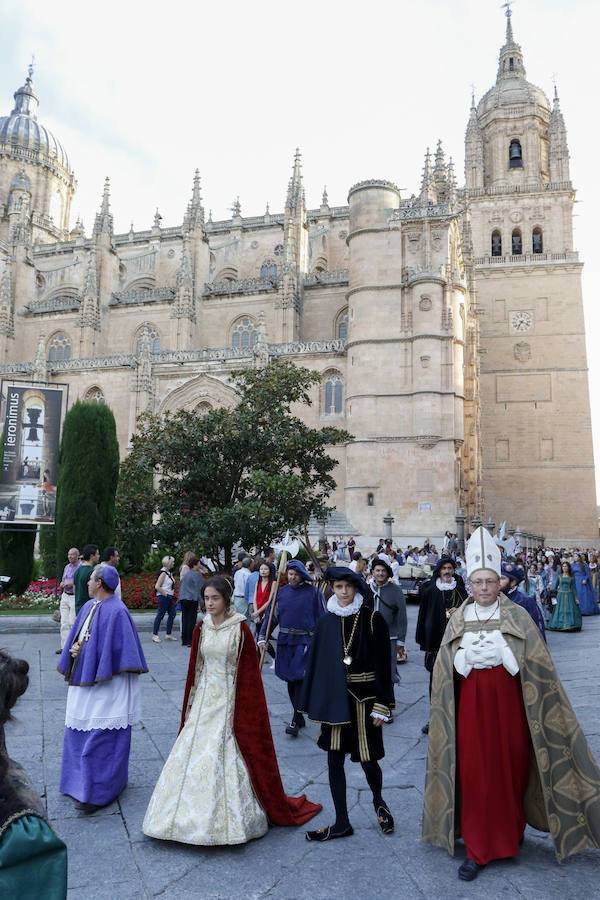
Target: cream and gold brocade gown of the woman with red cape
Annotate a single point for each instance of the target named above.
(203, 795)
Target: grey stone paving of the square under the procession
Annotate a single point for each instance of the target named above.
(110, 858)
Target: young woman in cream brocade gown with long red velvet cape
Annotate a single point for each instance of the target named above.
(221, 784)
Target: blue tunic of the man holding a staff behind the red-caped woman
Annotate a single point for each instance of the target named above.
(298, 609)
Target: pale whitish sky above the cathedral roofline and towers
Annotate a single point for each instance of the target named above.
(148, 92)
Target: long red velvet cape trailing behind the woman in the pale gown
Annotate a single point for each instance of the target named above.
(252, 731)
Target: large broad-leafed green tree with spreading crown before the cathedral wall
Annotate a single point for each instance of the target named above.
(246, 473)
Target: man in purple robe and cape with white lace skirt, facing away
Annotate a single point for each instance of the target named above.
(101, 660)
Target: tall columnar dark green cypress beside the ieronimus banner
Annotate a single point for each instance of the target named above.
(87, 478)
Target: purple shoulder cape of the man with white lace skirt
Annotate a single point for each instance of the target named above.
(112, 649)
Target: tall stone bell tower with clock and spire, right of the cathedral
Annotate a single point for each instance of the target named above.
(535, 412)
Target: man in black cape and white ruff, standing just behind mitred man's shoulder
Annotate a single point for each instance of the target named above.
(439, 596)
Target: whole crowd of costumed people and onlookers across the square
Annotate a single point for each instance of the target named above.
(505, 748)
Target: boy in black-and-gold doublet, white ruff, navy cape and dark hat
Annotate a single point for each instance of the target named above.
(348, 689)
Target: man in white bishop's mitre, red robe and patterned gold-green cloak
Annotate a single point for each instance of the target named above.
(505, 747)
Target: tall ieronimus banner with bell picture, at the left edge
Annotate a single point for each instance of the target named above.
(30, 438)
